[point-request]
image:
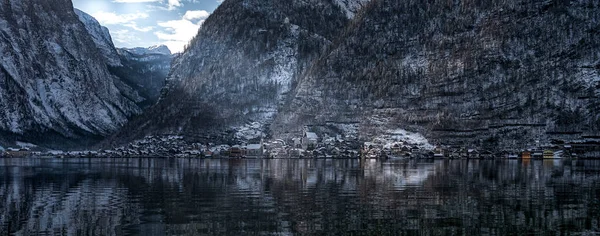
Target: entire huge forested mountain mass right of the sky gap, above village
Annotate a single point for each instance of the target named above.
(501, 74)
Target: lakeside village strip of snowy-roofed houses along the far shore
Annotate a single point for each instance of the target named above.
(311, 145)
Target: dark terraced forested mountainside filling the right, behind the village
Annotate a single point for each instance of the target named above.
(465, 72)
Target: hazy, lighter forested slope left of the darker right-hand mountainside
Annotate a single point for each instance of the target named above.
(242, 64)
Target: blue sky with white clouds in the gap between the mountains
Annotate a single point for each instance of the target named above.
(144, 23)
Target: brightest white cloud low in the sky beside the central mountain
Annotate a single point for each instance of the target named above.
(177, 33)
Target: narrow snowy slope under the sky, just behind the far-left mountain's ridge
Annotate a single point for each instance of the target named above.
(101, 37)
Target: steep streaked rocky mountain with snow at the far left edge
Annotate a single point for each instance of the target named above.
(54, 83)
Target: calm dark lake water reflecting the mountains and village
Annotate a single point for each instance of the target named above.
(304, 197)
